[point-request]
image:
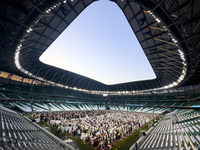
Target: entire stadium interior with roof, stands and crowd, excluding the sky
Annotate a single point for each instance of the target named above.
(46, 107)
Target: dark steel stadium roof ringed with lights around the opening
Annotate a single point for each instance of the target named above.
(168, 31)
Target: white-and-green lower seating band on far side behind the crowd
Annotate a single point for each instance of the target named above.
(40, 107)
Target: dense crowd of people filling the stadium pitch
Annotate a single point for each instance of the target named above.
(101, 127)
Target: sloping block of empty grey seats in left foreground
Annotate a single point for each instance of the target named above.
(19, 134)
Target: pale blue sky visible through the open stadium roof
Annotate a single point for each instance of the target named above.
(101, 45)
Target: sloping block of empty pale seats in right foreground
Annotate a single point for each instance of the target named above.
(170, 134)
